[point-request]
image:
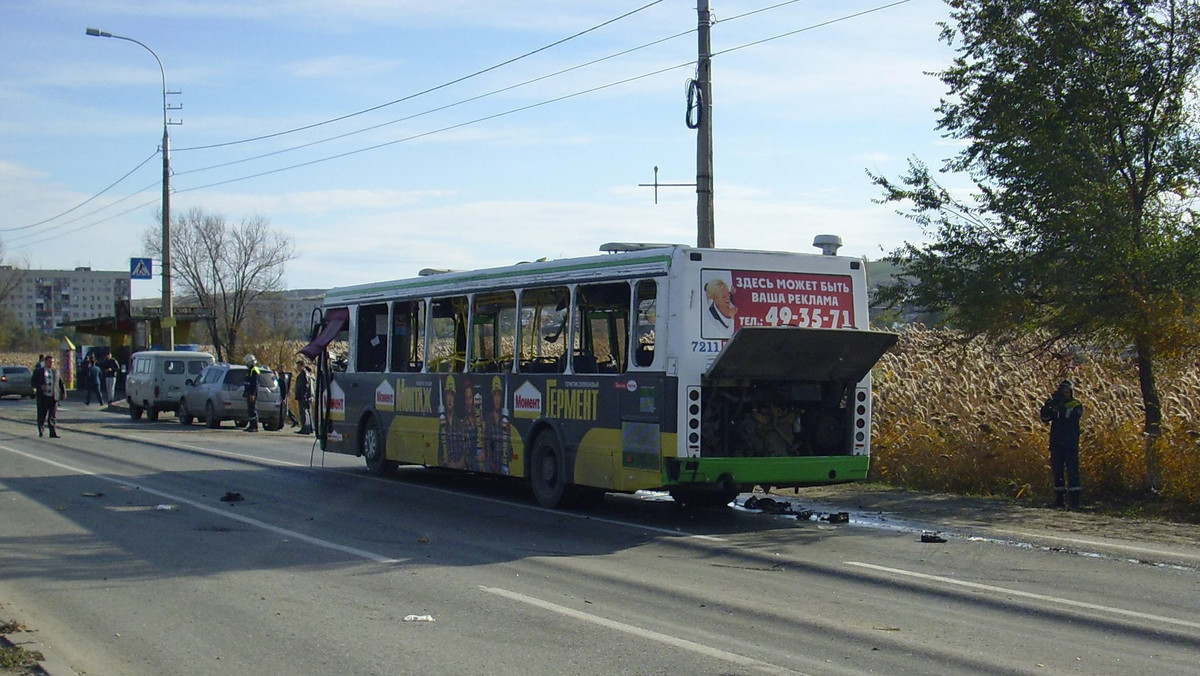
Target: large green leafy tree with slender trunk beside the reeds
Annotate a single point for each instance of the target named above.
(1081, 135)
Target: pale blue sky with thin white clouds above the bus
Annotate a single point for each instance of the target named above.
(476, 174)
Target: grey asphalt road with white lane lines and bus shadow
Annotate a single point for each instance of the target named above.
(117, 548)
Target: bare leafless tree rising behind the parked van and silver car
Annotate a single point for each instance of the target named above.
(226, 268)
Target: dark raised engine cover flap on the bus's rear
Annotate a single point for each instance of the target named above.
(765, 354)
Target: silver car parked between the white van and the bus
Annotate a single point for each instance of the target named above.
(217, 396)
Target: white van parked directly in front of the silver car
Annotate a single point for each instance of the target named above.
(157, 380)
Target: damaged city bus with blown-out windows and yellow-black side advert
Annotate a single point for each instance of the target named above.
(698, 372)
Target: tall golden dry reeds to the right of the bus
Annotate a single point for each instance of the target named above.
(965, 421)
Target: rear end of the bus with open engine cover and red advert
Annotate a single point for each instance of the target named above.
(775, 361)
